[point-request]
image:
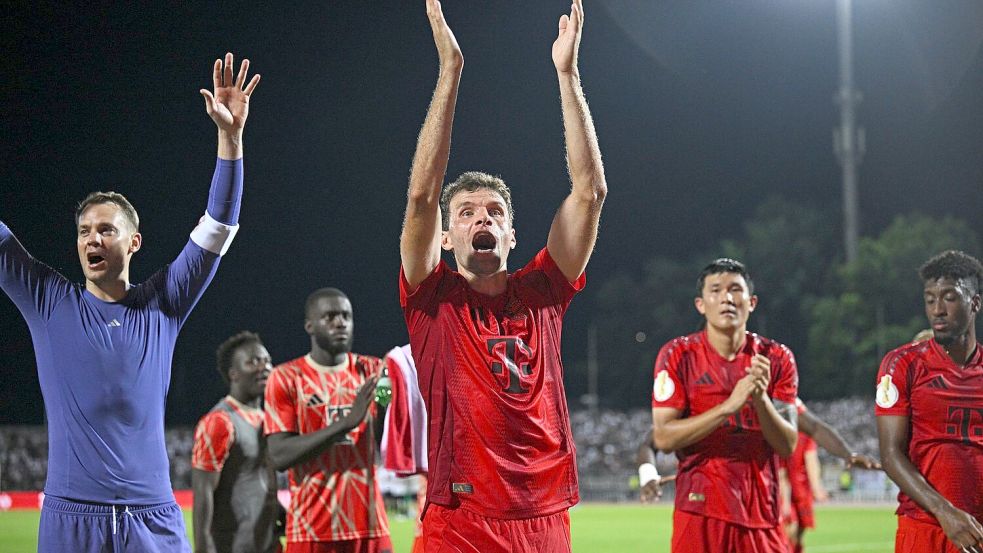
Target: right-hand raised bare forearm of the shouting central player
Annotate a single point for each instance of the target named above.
(583, 152)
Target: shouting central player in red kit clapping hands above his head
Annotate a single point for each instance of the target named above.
(502, 470)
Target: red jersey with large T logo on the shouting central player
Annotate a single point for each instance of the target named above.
(489, 369)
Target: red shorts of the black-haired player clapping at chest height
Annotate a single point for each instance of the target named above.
(699, 534)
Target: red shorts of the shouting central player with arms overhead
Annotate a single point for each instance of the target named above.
(460, 531)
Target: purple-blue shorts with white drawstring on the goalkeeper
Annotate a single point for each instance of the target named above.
(73, 527)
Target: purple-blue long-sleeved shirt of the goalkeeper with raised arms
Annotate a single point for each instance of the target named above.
(105, 367)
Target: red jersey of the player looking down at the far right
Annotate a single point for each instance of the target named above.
(944, 403)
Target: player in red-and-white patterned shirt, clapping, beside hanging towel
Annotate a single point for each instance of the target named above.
(322, 425)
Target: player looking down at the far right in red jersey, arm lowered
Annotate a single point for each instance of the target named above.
(929, 410)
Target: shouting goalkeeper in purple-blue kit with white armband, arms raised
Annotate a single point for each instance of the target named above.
(104, 352)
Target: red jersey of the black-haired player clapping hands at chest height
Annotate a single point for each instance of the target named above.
(732, 474)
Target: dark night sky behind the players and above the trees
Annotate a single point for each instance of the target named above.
(703, 109)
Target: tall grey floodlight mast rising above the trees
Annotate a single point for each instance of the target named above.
(848, 139)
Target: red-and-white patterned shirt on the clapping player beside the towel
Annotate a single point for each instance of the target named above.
(334, 496)
